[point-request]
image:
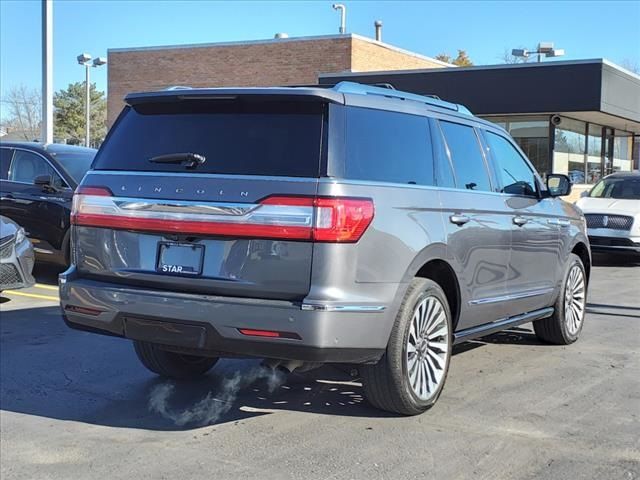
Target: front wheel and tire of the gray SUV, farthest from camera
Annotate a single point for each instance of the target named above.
(565, 325)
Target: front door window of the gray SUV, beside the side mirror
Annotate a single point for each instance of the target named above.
(514, 174)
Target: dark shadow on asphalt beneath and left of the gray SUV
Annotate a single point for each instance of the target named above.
(52, 371)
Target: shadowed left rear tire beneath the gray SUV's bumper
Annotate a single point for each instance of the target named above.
(171, 364)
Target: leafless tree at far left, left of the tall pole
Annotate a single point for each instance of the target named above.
(21, 109)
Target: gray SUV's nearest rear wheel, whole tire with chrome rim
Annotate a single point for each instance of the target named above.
(410, 376)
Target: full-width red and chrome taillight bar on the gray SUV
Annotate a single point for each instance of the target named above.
(320, 219)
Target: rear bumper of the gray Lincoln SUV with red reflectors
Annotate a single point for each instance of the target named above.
(210, 325)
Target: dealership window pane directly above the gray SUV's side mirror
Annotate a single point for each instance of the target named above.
(569, 149)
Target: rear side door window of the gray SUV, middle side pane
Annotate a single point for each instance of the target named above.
(468, 163)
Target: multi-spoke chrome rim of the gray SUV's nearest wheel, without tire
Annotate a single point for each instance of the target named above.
(427, 348)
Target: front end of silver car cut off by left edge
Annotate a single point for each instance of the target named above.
(16, 256)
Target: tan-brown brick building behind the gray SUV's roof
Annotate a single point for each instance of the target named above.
(281, 61)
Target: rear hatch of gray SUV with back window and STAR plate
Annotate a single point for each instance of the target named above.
(205, 195)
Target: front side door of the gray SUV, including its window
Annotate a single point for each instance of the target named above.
(535, 250)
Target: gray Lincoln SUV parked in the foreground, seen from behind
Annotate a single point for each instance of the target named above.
(353, 224)
